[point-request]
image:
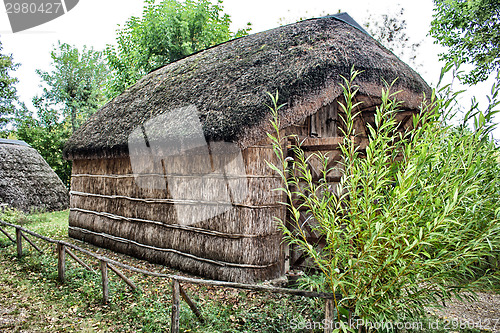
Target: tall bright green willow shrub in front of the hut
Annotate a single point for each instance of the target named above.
(414, 219)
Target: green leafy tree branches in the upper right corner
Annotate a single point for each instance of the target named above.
(471, 31)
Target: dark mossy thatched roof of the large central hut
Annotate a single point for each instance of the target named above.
(228, 83)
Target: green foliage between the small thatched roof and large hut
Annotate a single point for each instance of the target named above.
(72, 92)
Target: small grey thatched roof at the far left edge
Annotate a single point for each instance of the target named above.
(26, 181)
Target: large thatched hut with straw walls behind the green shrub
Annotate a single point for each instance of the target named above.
(133, 160)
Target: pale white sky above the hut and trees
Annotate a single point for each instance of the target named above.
(94, 23)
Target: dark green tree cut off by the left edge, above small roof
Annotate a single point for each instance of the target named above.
(8, 91)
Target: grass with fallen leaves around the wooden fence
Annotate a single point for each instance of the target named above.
(33, 301)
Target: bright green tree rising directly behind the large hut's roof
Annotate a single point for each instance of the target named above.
(166, 32)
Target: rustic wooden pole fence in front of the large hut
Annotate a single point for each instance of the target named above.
(178, 292)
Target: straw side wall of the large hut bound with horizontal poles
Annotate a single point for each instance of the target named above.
(241, 244)
